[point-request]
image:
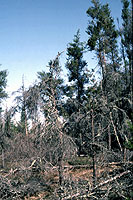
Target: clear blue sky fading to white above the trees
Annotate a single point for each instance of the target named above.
(33, 31)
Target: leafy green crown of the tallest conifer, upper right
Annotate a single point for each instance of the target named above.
(103, 37)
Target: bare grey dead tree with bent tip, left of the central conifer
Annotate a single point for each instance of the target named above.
(53, 137)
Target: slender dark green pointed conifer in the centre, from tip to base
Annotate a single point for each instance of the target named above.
(75, 90)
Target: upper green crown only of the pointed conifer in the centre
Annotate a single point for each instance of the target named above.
(76, 66)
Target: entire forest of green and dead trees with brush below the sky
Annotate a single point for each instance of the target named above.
(74, 138)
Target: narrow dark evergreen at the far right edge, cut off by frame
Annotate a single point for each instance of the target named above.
(127, 45)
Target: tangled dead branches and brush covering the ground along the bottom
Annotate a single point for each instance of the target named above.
(37, 183)
